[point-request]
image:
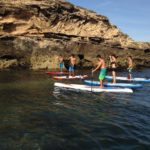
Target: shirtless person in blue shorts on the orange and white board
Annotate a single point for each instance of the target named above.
(72, 59)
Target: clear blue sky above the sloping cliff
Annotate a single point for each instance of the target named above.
(130, 16)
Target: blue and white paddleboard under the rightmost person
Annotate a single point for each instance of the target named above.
(126, 79)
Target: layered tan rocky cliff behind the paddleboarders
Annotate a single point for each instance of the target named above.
(34, 32)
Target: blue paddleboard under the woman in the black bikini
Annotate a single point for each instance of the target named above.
(124, 85)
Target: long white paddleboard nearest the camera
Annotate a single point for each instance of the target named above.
(78, 87)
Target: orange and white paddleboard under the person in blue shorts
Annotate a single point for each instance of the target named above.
(70, 77)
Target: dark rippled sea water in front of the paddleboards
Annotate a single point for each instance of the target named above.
(36, 116)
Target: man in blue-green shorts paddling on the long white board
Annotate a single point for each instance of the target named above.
(102, 66)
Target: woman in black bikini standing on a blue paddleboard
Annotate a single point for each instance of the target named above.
(113, 66)
